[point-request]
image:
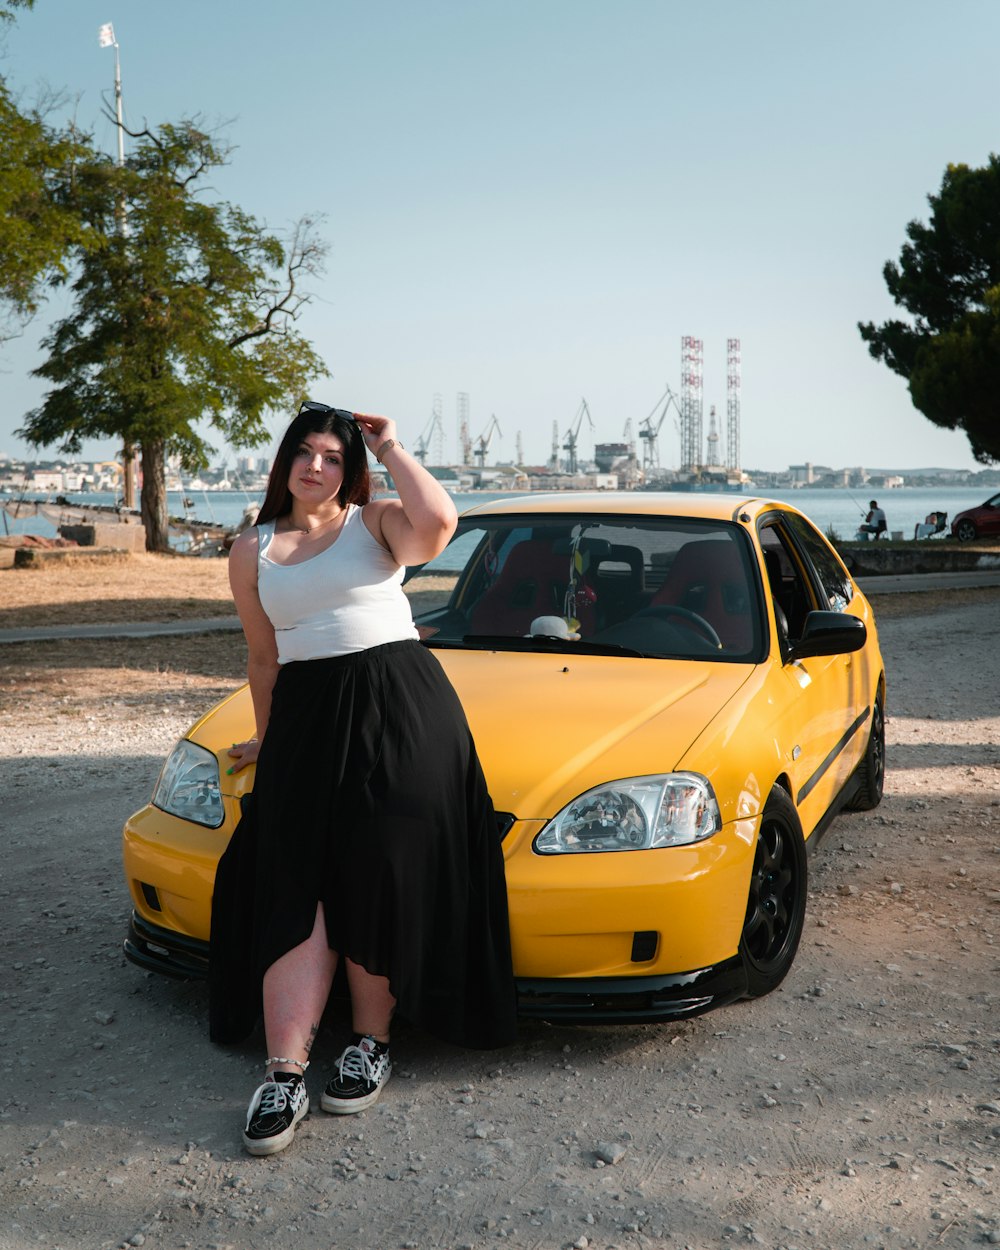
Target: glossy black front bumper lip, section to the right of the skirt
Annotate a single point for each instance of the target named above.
(636, 999)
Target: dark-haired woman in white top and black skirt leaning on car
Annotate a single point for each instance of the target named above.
(371, 836)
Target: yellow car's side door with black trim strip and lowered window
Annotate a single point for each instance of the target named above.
(824, 716)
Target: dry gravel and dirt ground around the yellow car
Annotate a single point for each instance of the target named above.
(859, 1106)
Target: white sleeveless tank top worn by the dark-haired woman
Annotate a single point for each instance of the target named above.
(346, 599)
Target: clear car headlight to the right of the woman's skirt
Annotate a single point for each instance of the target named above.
(674, 809)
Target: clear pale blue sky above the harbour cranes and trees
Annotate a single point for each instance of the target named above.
(533, 201)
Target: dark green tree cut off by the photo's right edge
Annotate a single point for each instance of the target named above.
(948, 281)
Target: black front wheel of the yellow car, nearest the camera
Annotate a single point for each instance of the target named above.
(776, 911)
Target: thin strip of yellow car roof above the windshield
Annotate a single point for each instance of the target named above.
(717, 507)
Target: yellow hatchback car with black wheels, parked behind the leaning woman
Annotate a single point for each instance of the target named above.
(672, 696)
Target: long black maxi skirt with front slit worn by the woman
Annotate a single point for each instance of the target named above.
(371, 799)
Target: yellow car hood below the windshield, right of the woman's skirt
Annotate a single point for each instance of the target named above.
(551, 727)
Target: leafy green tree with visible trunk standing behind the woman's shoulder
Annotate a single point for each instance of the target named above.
(184, 314)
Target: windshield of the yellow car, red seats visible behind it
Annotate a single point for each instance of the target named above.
(652, 587)
